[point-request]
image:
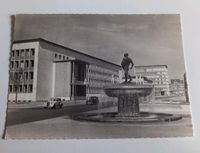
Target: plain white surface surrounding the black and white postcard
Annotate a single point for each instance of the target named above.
(190, 14)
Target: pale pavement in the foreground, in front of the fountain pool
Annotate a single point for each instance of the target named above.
(65, 128)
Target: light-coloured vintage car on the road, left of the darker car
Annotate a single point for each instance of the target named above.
(53, 103)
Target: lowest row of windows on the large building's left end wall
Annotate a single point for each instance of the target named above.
(21, 88)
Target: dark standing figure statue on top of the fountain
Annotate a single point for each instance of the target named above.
(126, 64)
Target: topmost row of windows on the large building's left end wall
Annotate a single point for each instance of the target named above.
(23, 52)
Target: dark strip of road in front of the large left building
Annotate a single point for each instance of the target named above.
(19, 116)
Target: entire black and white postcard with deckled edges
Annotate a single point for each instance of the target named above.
(97, 76)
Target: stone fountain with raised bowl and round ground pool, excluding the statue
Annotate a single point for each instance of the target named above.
(129, 95)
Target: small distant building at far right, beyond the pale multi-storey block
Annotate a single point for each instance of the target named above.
(177, 87)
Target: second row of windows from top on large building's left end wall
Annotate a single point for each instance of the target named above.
(22, 64)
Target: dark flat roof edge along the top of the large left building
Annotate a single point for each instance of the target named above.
(61, 46)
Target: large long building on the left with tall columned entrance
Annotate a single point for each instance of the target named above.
(40, 69)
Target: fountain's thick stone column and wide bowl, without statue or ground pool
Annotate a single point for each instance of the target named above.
(128, 95)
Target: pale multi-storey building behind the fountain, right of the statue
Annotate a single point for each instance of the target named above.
(159, 75)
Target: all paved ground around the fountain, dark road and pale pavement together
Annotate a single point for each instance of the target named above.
(39, 123)
